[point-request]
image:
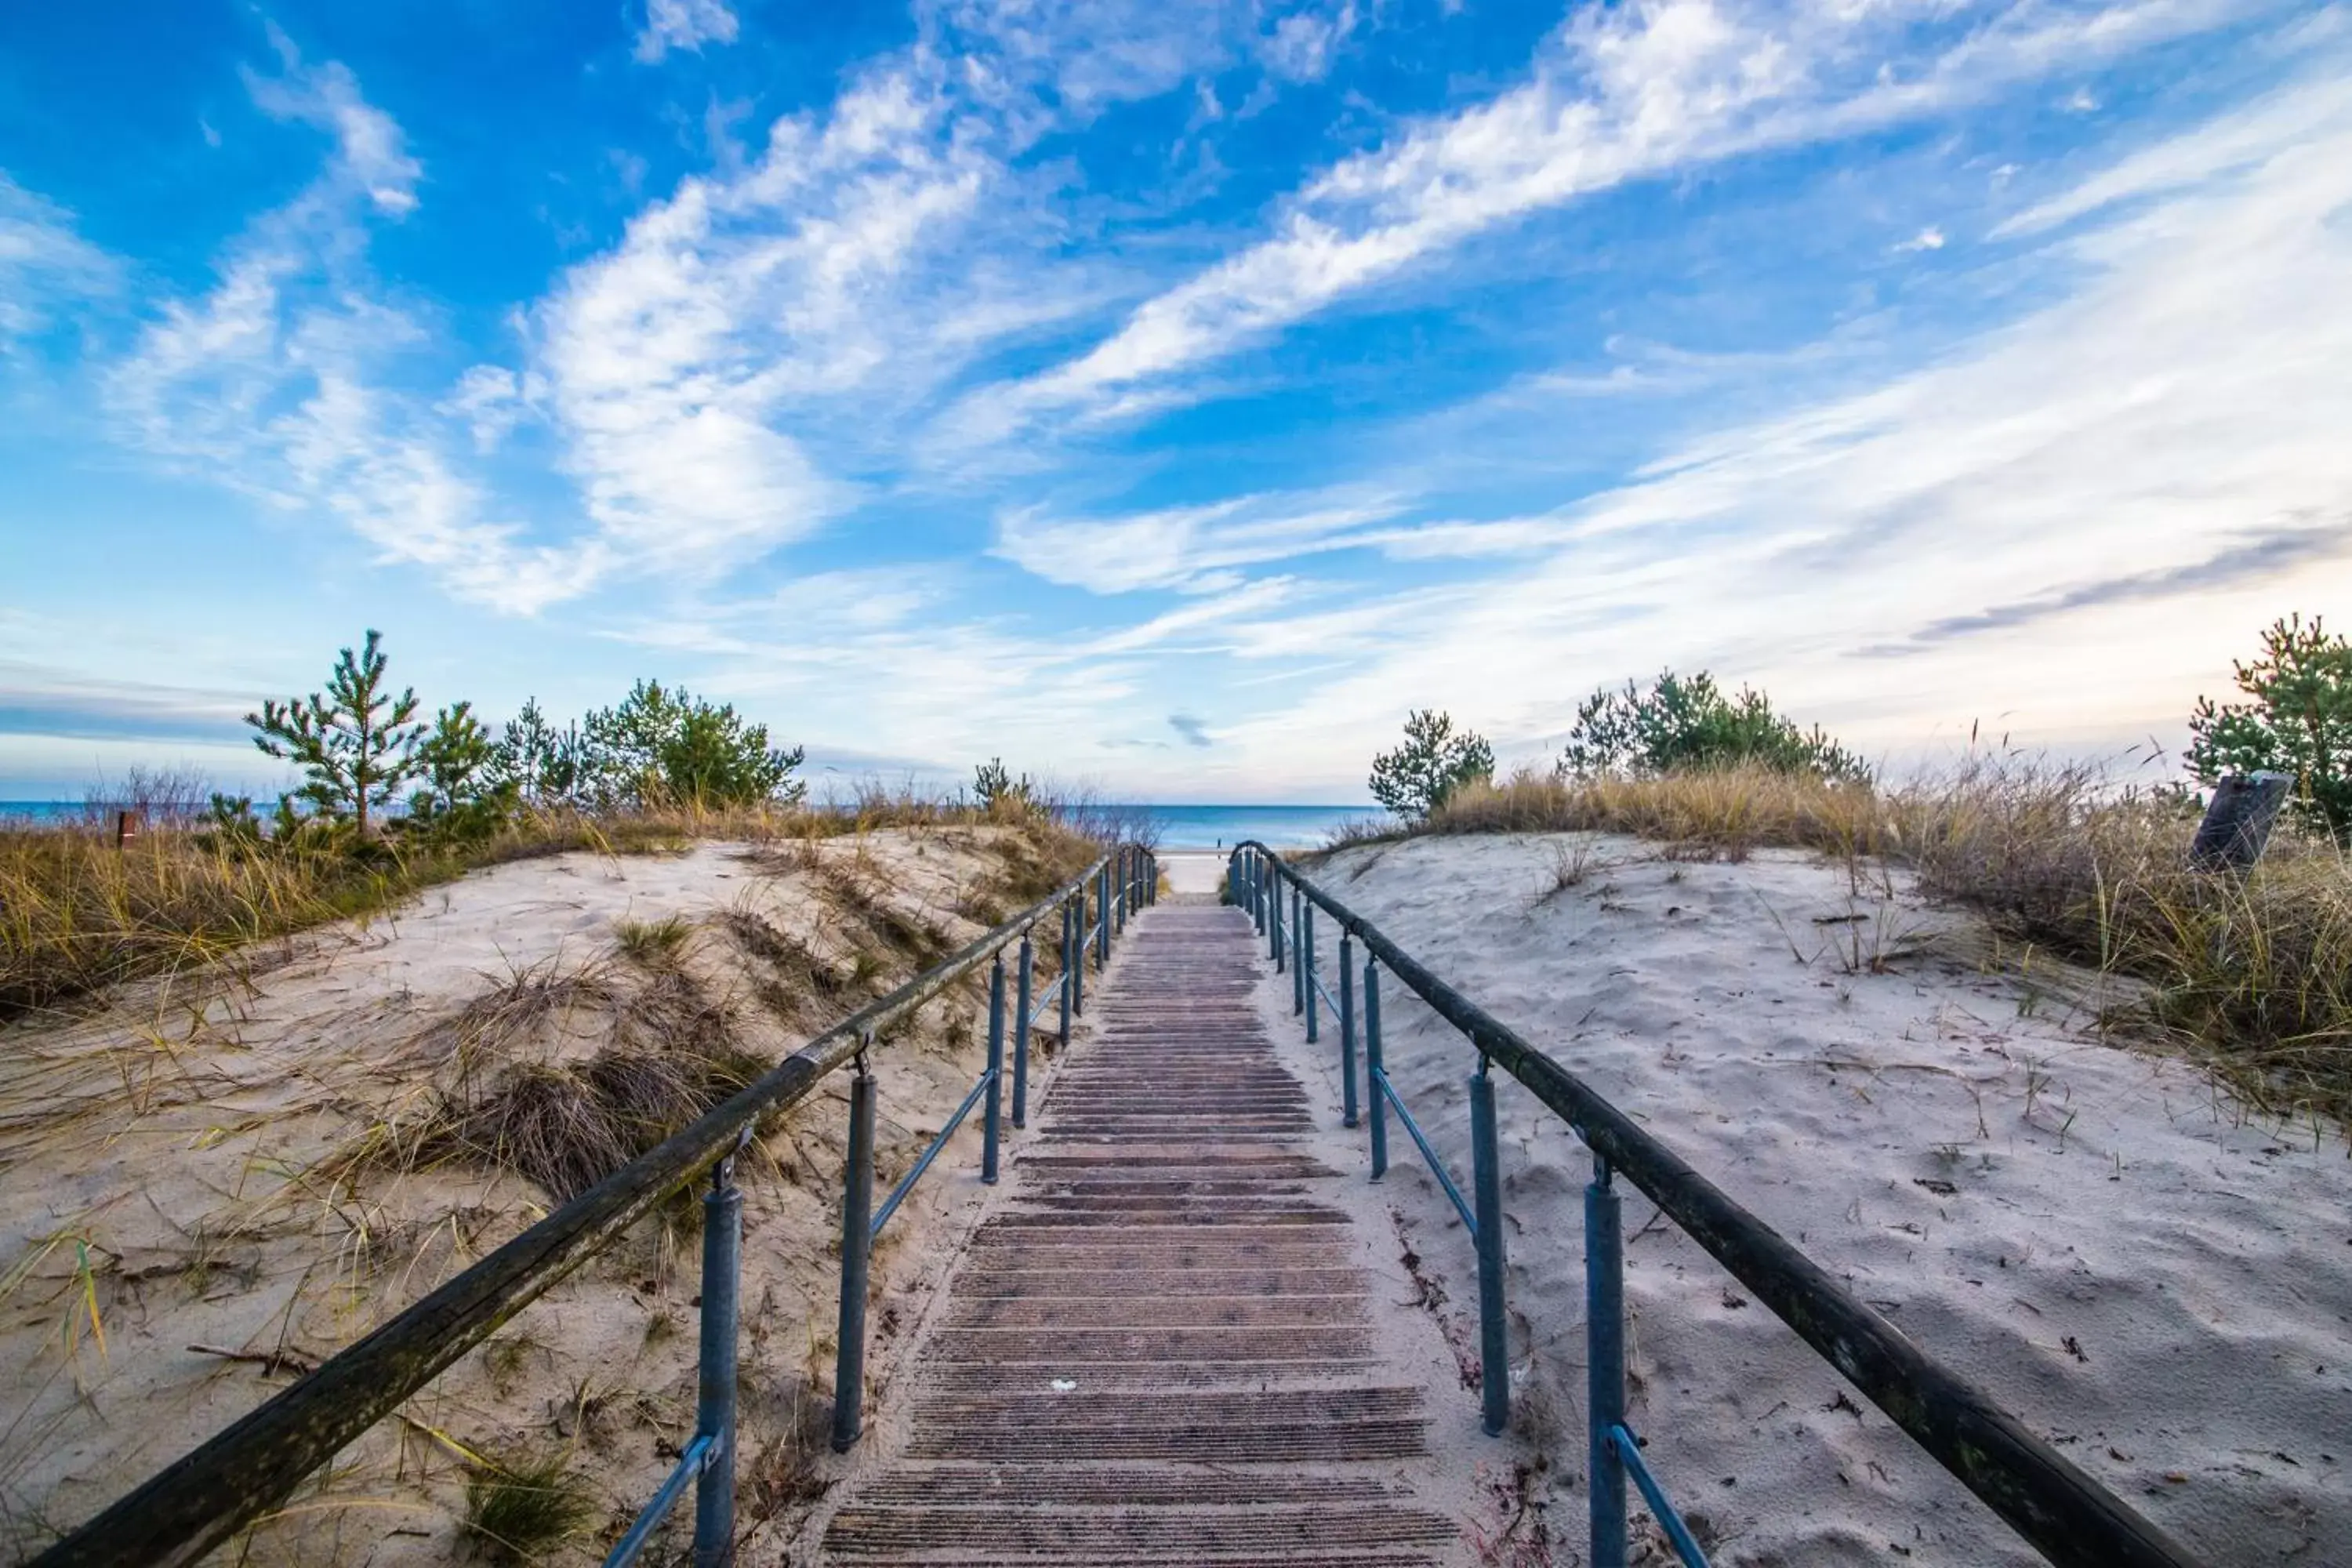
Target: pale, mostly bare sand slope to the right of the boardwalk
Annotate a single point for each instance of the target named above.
(2139, 1271)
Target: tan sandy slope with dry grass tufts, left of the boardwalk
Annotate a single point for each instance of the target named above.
(180, 1139)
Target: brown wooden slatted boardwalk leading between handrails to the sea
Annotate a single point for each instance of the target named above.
(1161, 1346)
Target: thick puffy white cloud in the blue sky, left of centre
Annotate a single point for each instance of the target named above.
(671, 359)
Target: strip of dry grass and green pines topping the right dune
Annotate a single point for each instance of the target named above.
(2250, 970)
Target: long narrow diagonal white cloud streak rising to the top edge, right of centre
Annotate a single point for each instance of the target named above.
(1622, 93)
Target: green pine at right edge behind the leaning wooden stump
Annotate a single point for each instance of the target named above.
(2299, 723)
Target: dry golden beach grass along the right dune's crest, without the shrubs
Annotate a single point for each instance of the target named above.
(2252, 972)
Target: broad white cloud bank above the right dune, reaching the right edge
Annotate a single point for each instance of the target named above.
(2066, 530)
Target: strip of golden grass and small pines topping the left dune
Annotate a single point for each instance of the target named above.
(392, 805)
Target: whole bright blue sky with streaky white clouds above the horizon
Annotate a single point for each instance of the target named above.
(1168, 396)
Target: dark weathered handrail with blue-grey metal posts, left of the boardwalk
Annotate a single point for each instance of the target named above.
(234, 1477)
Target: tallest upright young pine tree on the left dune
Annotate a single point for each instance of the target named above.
(356, 742)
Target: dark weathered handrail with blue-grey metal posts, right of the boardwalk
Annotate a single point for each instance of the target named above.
(2054, 1506)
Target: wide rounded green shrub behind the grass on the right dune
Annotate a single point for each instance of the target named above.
(1688, 723)
